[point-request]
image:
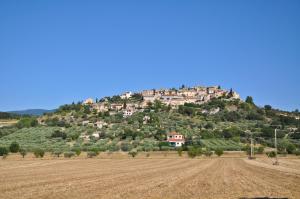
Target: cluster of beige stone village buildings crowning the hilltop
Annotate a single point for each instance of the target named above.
(172, 97)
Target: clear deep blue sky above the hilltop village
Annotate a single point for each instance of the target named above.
(55, 52)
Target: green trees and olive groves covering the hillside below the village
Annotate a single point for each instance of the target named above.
(219, 124)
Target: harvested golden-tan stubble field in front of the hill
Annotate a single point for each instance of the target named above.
(149, 178)
